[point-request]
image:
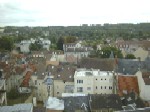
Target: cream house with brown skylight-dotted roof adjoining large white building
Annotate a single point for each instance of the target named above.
(63, 78)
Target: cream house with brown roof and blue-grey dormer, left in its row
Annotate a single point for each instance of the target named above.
(41, 82)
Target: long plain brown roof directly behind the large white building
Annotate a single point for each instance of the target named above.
(95, 63)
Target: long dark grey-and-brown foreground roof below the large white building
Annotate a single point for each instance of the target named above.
(92, 102)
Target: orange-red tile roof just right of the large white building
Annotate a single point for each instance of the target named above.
(127, 83)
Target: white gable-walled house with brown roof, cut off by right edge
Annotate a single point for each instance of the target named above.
(144, 84)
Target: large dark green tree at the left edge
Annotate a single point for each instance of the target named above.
(6, 43)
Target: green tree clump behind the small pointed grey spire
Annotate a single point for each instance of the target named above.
(106, 51)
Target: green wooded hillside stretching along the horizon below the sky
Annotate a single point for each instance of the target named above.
(97, 32)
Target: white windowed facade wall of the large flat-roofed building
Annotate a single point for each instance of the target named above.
(98, 84)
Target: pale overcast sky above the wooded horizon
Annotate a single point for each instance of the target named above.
(72, 12)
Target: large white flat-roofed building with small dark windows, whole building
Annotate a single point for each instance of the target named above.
(93, 81)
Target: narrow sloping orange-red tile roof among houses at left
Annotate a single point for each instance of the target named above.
(25, 82)
